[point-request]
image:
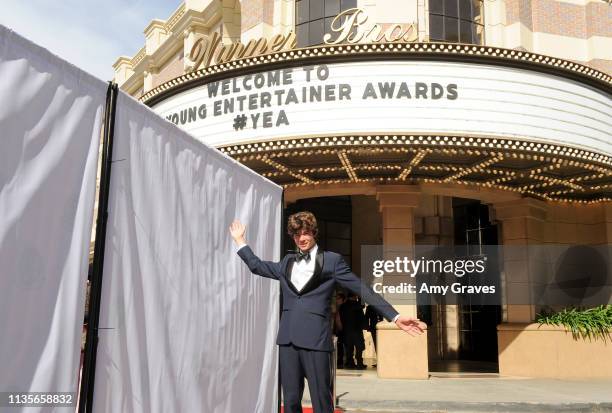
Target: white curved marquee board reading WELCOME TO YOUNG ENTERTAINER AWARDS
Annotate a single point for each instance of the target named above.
(392, 97)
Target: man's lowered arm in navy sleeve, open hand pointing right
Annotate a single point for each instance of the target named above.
(350, 281)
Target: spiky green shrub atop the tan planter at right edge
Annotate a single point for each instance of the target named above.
(589, 323)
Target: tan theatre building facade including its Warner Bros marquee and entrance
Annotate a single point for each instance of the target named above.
(407, 123)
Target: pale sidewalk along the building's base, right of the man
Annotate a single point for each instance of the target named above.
(477, 392)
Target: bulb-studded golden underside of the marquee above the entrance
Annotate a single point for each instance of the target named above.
(544, 171)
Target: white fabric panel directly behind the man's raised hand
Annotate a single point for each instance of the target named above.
(184, 326)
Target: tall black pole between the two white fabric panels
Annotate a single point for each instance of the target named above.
(91, 343)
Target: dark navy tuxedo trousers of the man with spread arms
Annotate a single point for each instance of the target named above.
(297, 363)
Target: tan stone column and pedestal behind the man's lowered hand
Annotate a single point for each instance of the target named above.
(399, 354)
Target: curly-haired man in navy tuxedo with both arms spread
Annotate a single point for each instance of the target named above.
(307, 279)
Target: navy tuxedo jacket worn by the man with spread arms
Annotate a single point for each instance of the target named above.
(305, 319)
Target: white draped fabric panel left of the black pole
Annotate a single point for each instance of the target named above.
(50, 118)
